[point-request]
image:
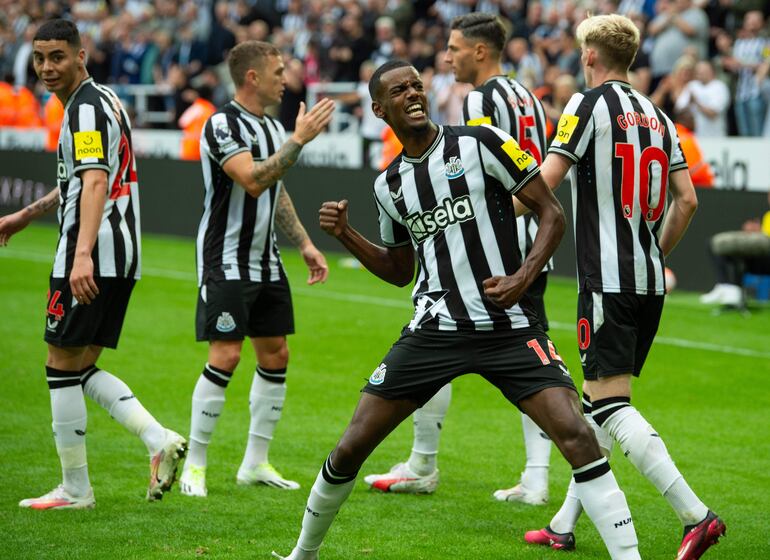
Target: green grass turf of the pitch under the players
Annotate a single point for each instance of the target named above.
(710, 406)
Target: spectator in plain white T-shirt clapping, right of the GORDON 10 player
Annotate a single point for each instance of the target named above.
(708, 99)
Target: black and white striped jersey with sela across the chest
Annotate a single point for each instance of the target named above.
(454, 205)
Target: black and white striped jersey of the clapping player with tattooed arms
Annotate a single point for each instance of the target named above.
(236, 236)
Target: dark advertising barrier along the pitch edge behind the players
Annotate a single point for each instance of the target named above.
(171, 194)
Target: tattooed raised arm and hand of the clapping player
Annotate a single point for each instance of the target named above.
(256, 177)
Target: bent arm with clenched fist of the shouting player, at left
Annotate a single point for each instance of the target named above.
(393, 264)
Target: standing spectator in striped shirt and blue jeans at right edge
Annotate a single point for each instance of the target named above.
(745, 60)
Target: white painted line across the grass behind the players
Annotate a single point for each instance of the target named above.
(401, 304)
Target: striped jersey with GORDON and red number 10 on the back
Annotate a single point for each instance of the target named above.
(624, 149)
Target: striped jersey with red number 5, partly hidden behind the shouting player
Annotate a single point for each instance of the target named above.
(505, 103)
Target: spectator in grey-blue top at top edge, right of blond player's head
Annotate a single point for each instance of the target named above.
(678, 29)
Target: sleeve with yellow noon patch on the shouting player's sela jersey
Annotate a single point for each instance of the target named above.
(504, 159)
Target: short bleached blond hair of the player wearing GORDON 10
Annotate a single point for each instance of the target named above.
(614, 36)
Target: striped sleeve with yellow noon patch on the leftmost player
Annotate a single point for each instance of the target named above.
(92, 145)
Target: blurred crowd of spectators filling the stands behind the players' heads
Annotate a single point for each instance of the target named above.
(708, 58)
